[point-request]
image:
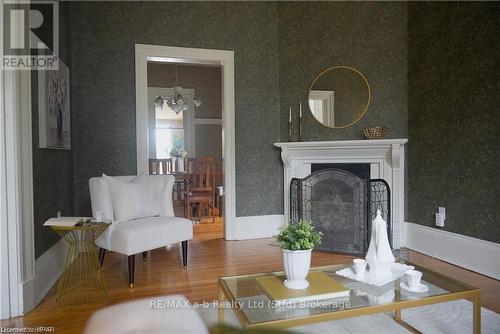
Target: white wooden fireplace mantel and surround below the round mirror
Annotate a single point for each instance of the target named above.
(384, 156)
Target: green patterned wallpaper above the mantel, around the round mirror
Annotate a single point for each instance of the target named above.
(369, 36)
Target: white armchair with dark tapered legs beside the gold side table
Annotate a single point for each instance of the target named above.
(142, 215)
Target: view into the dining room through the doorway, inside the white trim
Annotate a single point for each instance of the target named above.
(185, 129)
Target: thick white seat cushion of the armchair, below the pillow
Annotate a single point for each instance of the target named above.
(143, 234)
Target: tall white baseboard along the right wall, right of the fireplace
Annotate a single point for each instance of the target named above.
(471, 253)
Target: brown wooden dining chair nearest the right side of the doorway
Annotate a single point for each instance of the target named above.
(200, 186)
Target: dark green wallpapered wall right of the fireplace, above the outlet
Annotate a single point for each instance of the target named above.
(453, 85)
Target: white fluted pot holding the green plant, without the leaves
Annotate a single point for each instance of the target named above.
(296, 265)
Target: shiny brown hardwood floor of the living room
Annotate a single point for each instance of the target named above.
(162, 274)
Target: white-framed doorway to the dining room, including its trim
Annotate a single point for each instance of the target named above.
(164, 130)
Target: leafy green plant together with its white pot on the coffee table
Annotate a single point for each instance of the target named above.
(297, 241)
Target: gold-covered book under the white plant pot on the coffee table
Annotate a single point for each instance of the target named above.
(321, 286)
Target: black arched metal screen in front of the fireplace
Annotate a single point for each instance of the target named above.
(337, 202)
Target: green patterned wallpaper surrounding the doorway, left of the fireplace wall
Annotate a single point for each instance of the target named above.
(103, 92)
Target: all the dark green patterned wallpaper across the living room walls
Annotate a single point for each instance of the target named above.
(279, 49)
